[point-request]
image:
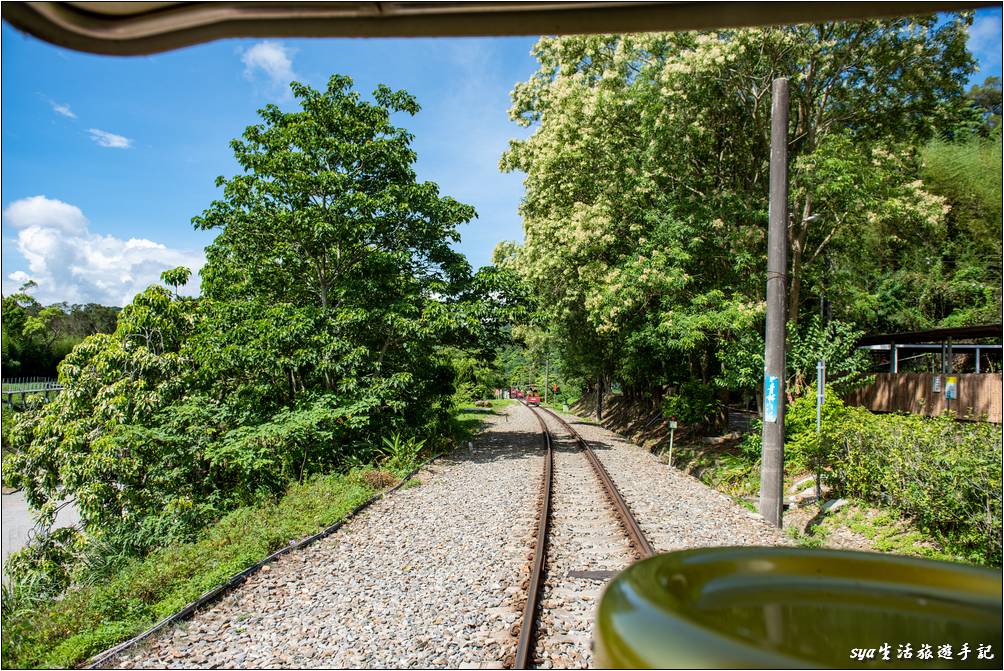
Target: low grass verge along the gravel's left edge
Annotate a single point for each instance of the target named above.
(133, 598)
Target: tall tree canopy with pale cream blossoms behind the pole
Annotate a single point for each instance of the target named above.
(647, 180)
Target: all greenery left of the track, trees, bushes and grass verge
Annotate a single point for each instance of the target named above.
(326, 340)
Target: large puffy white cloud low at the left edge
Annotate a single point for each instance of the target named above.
(72, 264)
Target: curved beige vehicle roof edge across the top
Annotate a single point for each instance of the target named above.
(142, 29)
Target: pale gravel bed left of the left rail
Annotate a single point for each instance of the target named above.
(429, 577)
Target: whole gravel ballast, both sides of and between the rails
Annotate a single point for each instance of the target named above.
(433, 576)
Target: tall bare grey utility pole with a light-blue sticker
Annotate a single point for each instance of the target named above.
(773, 464)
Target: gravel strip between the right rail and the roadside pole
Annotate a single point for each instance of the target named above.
(676, 511)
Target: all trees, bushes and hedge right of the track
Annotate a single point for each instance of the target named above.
(645, 251)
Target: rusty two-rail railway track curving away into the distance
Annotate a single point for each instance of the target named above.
(548, 572)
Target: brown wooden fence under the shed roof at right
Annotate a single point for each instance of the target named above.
(978, 397)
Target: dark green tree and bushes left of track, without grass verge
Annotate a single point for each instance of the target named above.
(327, 297)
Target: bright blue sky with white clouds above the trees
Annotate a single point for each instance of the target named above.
(106, 160)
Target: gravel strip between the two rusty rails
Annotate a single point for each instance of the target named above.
(585, 536)
